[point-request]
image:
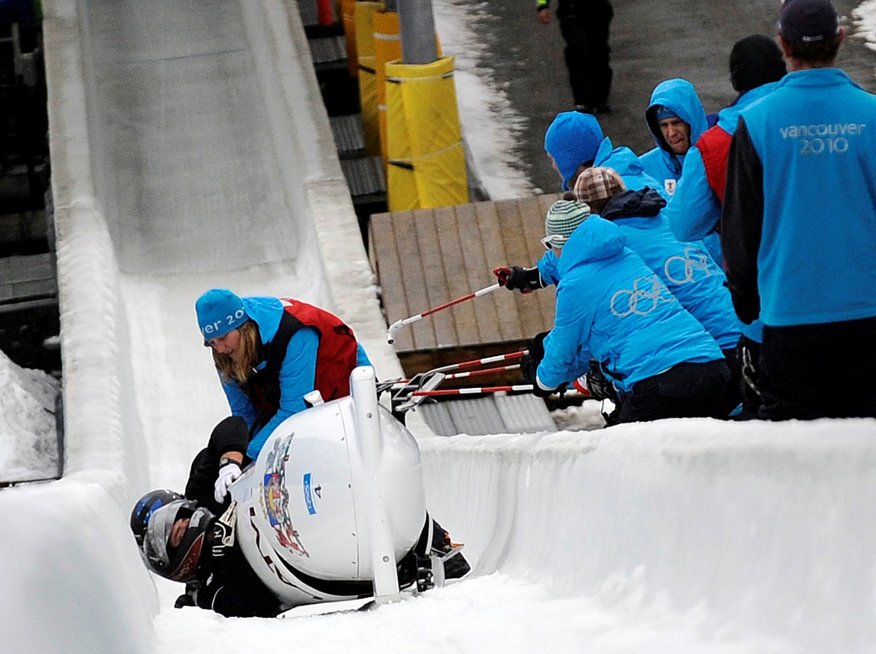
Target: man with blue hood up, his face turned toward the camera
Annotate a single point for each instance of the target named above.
(676, 119)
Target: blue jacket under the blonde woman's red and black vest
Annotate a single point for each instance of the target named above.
(297, 372)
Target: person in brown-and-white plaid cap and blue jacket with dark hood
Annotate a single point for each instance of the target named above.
(688, 271)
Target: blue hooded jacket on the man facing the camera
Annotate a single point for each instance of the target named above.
(681, 97)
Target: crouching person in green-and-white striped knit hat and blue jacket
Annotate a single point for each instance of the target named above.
(613, 309)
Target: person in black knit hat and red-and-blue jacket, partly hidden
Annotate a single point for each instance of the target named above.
(694, 213)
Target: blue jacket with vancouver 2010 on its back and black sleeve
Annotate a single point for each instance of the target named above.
(799, 222)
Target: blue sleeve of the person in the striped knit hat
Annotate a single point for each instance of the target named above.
(566, 347)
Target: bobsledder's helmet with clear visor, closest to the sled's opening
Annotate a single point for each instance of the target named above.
(180, 562)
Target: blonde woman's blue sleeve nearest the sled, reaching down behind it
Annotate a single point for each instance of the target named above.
(297, 378)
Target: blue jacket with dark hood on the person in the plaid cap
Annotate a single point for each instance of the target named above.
(686, 268)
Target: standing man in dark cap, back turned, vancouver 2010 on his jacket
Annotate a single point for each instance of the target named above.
(798, 227)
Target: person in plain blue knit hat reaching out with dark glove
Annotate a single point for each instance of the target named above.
(574, 142)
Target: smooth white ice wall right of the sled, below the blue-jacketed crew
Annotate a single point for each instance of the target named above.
(740, 528)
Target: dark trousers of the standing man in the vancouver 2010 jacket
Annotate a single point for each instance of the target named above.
(819, 371)
